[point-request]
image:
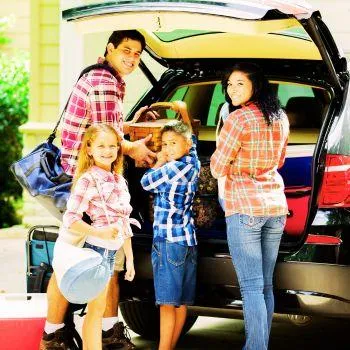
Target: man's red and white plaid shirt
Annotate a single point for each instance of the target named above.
(97, 98)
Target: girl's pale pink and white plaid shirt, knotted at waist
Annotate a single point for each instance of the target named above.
(85, 197)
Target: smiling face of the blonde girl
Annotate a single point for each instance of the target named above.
(104, 150)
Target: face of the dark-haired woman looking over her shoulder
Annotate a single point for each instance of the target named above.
(239, 88)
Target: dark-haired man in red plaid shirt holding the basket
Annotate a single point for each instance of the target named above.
(98, 98)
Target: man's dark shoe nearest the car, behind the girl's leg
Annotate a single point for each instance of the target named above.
(117, 337)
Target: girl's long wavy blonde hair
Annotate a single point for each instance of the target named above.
(85, 161)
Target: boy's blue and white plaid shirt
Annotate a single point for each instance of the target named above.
(174, 185)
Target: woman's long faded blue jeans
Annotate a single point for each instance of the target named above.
(253, 242)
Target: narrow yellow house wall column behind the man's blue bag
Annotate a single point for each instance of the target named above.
(44, 89)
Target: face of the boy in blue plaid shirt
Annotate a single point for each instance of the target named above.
(174, 145)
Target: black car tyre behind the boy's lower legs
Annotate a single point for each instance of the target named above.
(143, 318)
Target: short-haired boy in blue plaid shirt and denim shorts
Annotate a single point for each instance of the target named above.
(173, 180)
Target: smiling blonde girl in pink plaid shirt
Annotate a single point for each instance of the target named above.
(100, 191)
